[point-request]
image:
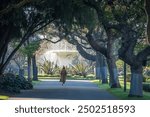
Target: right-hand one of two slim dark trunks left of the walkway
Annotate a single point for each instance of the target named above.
(35, 71)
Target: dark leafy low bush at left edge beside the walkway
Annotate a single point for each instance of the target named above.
(13, 84)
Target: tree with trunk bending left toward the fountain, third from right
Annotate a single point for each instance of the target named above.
(101, 66)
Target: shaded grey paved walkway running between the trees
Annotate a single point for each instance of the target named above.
(72, 90)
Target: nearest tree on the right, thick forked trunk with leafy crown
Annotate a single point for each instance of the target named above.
(131, 26)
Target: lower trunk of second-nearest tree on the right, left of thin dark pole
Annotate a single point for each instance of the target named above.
(113, 73)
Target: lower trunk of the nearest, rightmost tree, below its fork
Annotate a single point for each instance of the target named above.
(136, 86)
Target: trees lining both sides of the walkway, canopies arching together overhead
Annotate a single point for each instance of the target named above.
(113, 29)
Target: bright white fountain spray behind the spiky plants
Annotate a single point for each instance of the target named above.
(61, 53)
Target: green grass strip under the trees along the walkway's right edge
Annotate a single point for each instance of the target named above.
(119, 92)
